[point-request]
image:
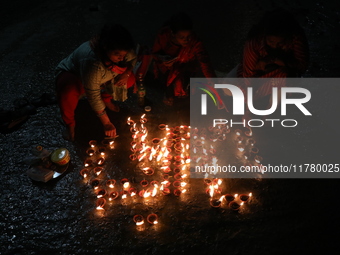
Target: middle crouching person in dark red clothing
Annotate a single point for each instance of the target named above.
(179, 55)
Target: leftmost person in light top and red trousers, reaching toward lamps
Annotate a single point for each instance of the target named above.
(101, 70)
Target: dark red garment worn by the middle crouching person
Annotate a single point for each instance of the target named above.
(190, 60)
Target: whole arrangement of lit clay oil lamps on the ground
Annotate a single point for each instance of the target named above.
(168, 158)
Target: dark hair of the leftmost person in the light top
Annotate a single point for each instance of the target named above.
(112, 37)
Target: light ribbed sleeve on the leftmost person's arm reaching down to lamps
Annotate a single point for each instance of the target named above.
(92, 80)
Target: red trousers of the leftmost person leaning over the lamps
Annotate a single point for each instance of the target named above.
(69, 89)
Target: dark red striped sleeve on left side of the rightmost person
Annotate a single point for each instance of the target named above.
(250, 58)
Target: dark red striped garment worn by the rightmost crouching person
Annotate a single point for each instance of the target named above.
(255, 49)
